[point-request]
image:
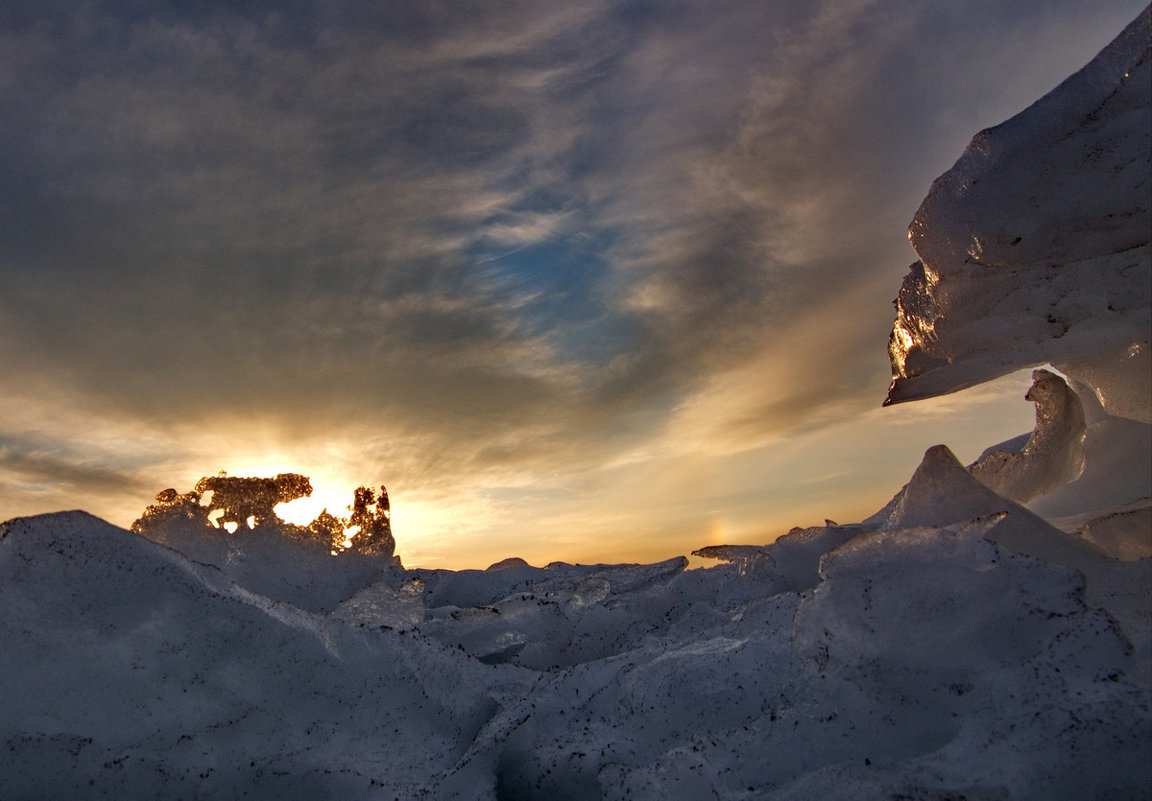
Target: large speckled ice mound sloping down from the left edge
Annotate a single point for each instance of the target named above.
(133, 672)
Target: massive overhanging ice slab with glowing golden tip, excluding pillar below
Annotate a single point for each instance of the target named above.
(1035, 246)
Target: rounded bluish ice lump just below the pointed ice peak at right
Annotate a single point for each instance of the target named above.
(876, 583)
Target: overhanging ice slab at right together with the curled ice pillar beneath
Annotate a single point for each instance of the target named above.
(1035, 251)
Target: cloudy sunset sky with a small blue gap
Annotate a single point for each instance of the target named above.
(587, 282)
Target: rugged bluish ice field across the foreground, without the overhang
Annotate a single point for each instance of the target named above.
(918, 660)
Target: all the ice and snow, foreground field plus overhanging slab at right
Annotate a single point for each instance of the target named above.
(988, 634)
